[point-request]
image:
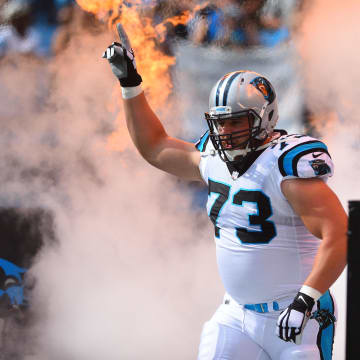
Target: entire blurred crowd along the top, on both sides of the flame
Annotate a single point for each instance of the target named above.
(42, 28)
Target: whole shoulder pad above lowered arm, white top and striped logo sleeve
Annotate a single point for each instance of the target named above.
(303, 156)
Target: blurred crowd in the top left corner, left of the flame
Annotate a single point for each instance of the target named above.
(40, 28)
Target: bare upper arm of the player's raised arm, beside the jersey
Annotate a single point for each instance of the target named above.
(177, 157)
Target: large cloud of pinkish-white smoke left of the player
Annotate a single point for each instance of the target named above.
(126, 277)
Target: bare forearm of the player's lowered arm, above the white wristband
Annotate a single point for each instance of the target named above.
(329, 263)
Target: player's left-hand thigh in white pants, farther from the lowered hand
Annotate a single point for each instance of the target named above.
(222, 342)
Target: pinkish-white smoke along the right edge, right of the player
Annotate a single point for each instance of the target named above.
(327, 41)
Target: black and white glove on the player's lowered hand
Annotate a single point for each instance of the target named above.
(293, 319)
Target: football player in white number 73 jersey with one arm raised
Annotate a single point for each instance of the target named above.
(280, 231)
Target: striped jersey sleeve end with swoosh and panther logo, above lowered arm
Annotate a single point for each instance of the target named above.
(306, 160)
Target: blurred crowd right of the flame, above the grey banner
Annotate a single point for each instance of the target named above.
(235, 23)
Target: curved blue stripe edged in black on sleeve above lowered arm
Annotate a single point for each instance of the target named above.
(288, 160)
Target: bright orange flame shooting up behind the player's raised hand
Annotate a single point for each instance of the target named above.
(153, 65)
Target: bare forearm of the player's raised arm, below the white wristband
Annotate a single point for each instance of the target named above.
(145, 128)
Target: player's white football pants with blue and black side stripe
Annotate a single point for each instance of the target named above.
(235, 333)
